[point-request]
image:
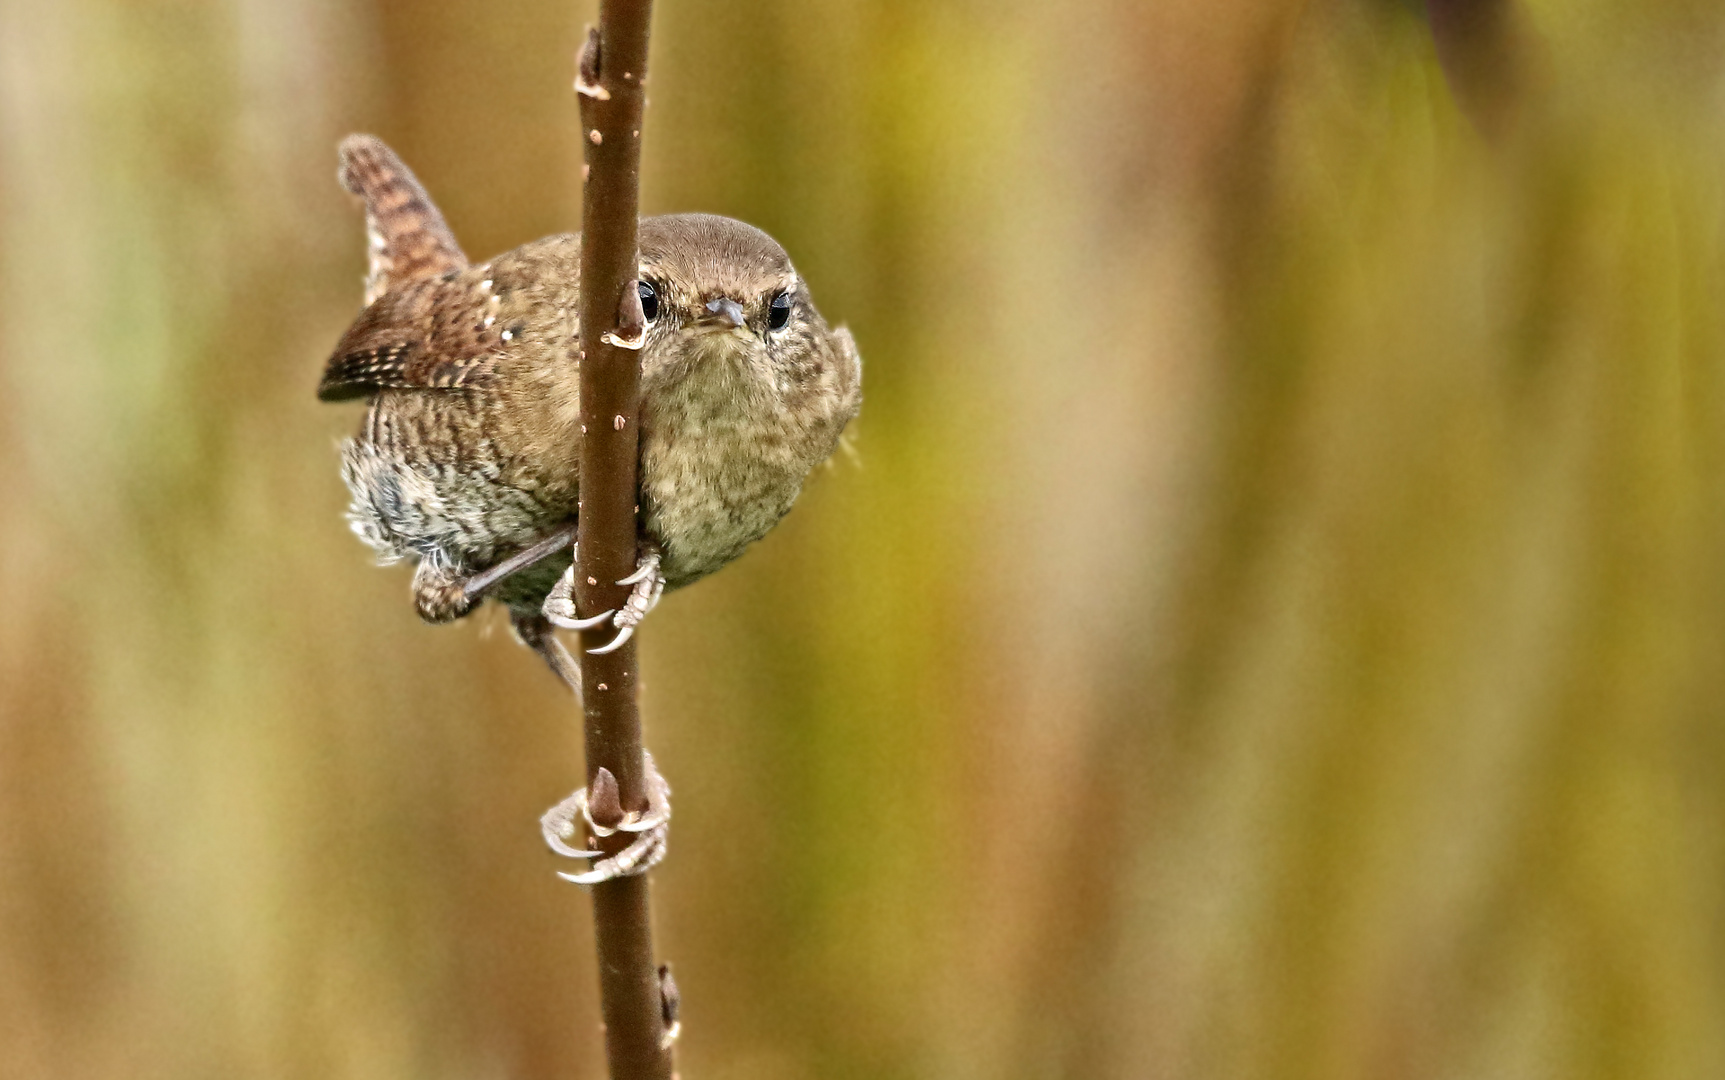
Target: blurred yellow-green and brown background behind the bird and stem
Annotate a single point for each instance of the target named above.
(1272, 625)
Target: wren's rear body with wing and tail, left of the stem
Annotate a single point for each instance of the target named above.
(467, 451)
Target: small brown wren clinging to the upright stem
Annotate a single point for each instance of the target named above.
(468, 458)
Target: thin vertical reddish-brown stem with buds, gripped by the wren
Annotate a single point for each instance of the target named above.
(610, 82)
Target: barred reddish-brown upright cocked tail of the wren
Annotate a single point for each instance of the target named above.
(408, 235)
